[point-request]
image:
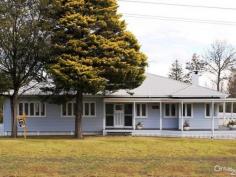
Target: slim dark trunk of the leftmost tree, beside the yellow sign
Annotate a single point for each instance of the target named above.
(13, 100)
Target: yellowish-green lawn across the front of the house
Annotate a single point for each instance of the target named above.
(115, 156)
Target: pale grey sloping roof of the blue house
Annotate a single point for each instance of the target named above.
(159, 86)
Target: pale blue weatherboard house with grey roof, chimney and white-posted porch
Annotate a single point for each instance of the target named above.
(159, 105)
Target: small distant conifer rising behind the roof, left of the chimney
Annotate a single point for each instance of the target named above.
(176, 71)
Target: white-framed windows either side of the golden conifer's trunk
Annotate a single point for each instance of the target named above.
(68, 109)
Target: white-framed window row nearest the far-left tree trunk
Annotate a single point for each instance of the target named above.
(32, 109)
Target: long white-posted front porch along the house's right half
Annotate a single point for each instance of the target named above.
(164, 117)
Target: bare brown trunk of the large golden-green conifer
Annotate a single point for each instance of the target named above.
(78, 115)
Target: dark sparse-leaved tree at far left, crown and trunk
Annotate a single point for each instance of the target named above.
(23, 46)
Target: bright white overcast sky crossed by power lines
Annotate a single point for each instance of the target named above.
(163, 41)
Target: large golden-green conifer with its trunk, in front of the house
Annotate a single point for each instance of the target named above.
(92, 51)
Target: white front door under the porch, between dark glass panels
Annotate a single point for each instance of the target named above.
(118, 115)
